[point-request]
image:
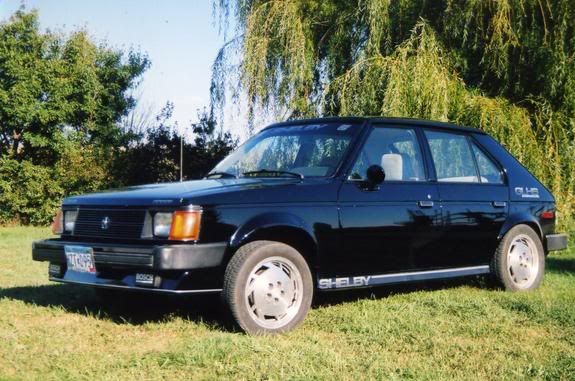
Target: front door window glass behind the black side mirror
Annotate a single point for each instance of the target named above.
(396, 150)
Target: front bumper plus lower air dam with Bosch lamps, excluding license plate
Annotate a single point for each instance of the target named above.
(176, 269)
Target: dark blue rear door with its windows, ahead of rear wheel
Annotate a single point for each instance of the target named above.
(473, 198)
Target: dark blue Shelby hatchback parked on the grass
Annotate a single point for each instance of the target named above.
(316, 205)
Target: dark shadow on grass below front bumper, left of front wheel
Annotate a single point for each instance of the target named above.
(125, 308)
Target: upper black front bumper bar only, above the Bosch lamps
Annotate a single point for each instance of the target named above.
(165, 257)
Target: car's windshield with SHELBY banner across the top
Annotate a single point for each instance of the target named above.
(310, 150)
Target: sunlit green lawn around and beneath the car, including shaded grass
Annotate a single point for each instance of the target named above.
(450, 330)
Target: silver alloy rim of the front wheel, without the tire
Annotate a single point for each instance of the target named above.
(274, 292)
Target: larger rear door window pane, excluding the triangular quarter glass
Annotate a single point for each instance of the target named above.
(452, 157)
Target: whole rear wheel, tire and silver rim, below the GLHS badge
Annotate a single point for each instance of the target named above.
(520, 248)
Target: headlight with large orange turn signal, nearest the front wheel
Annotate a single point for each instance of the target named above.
(181, 225)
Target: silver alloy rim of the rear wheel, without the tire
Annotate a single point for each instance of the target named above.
(522, 261)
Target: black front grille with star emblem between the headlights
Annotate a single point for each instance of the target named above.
(121, 223)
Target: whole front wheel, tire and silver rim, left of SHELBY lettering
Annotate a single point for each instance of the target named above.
(249, 264)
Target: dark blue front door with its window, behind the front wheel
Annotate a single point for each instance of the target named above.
(391, 227)
